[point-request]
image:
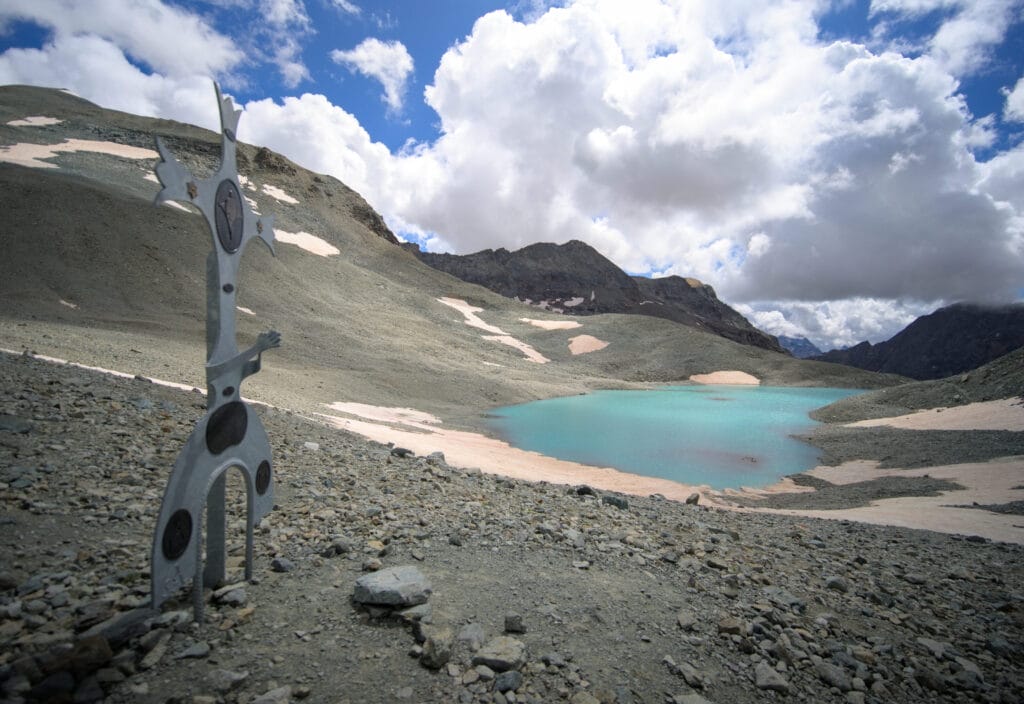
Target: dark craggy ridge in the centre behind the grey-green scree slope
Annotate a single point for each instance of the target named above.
(576, 280)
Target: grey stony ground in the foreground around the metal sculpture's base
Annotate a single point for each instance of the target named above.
(504, 591)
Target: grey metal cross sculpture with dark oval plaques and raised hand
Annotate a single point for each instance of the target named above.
(231, 434)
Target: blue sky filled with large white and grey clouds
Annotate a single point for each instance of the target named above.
(834, 169)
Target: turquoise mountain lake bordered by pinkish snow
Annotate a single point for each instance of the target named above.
(723, 436)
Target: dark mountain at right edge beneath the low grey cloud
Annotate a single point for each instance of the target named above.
(952, 340)
